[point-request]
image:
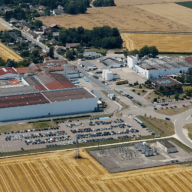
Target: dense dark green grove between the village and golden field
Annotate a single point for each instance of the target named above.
(105, 37)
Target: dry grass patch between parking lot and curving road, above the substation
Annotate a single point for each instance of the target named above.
(159, 126)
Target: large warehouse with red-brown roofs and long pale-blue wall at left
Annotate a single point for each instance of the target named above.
(49, 94)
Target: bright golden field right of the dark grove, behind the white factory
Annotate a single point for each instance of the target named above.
(163, 42)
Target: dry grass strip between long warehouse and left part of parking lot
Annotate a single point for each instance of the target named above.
(26, 126)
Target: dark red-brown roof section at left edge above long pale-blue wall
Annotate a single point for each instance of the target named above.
(22, 100)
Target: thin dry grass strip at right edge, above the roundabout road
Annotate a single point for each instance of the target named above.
(174, 111)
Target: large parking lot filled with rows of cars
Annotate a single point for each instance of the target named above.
(87, 131)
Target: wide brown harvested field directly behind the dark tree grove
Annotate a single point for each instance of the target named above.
(125, 18)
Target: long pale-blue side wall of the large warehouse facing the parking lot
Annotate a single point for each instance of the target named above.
(50, 109)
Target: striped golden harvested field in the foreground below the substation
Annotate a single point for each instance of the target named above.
(61, 172)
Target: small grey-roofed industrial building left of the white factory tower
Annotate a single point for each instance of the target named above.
(112, 63)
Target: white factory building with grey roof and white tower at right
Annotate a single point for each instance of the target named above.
(157, 67)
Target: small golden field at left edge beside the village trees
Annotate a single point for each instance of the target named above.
(7, 53)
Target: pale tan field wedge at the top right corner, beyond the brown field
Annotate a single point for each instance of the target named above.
(171, 11)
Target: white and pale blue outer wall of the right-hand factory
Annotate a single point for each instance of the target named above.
(157, 73)
